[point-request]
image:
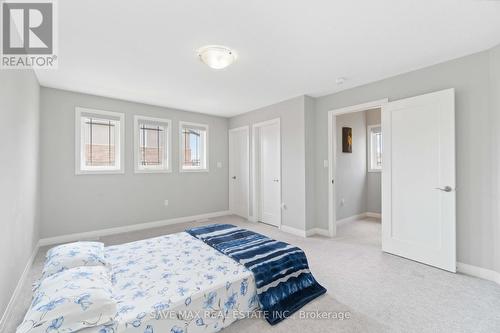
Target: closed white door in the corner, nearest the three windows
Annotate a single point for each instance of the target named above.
(238, 171)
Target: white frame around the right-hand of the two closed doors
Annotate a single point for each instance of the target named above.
(255, 178)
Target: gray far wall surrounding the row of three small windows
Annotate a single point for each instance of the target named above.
(72, 204)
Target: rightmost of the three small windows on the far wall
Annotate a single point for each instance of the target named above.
(193, 147)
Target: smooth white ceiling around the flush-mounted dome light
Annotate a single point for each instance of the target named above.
(145, 51)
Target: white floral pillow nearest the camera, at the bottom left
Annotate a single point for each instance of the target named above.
(71, 300)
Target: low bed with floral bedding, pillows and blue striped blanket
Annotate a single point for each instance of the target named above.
(201, 280)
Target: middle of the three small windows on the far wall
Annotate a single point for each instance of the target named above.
(152, 144)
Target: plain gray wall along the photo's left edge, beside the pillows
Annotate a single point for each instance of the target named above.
(19, 176)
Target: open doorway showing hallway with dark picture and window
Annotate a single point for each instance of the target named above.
(358, 167)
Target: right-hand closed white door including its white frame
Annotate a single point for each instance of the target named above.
(267, 172)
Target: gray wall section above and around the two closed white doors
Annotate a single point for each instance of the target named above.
(291, 113)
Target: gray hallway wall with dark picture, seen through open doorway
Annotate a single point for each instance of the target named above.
(351, 167)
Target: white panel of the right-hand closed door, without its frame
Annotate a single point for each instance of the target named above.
(270, 174)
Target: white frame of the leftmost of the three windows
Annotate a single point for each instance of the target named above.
(80, 169)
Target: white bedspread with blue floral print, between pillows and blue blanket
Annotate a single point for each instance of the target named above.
(176, 283)
